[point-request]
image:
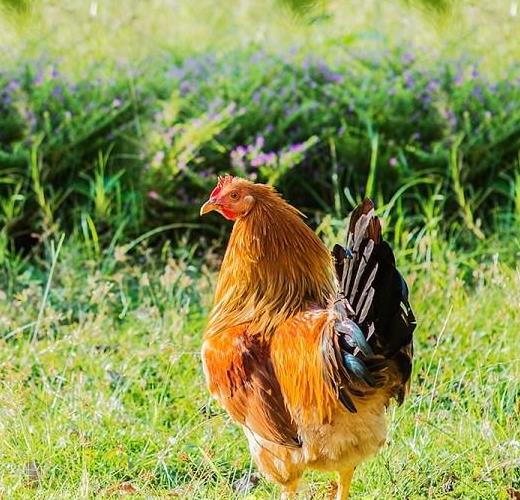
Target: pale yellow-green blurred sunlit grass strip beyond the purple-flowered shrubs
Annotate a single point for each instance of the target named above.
(81, 34)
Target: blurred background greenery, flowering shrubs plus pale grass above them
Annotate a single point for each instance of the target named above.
(115, 120)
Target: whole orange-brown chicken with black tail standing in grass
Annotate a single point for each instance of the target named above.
(303, 349)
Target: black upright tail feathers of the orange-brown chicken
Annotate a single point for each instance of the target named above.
(374, 321)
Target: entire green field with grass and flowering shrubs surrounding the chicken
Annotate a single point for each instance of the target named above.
(108, 147)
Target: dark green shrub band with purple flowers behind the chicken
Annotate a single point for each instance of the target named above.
(323, 133)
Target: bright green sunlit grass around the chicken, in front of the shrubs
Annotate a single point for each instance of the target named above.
(109, 393)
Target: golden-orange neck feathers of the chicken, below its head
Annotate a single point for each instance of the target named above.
(274, 267)
